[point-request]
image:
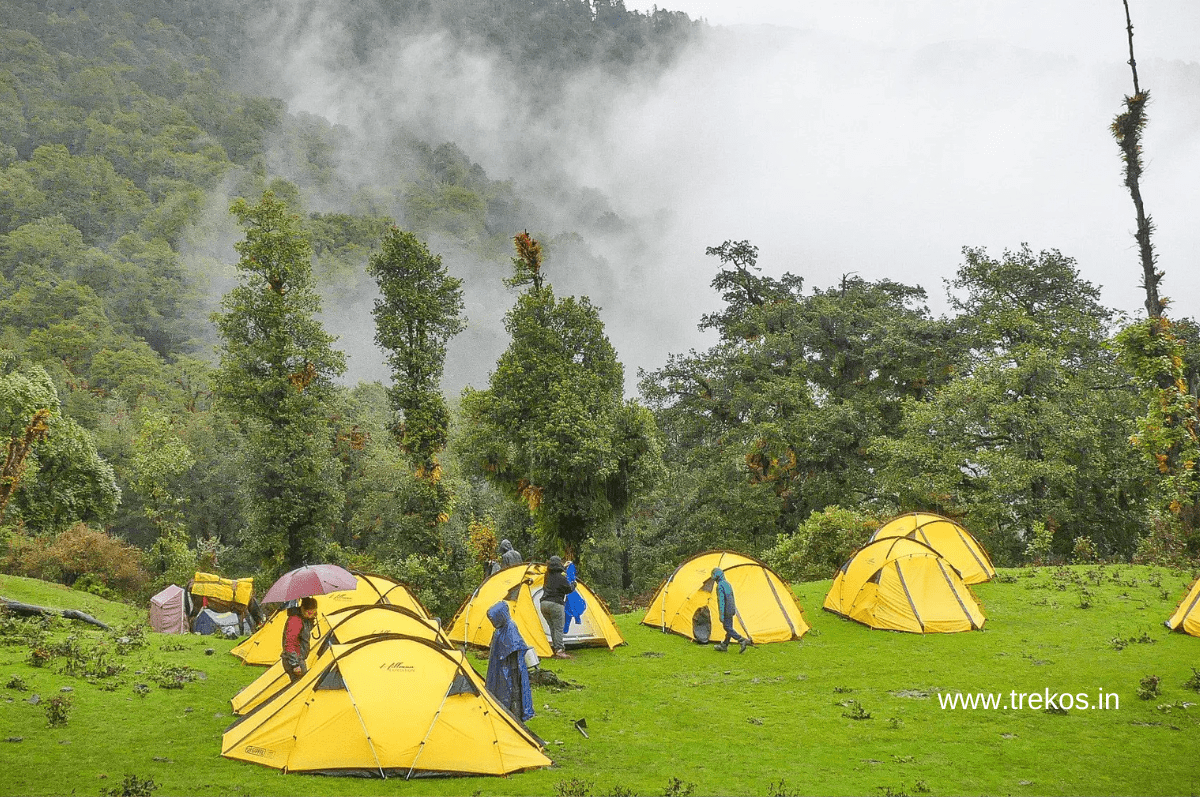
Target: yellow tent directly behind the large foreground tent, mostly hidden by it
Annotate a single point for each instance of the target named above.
(349, 625)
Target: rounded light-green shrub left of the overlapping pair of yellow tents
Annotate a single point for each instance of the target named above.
(821, 544)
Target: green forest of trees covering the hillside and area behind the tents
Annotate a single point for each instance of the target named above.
(152, 432)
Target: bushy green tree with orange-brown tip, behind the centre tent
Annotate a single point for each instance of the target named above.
(553, 429)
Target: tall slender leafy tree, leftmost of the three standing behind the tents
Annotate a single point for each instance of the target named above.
(278, 367)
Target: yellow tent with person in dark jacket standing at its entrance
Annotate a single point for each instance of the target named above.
(521, 585)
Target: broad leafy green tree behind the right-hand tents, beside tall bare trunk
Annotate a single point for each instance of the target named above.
(1034, 428)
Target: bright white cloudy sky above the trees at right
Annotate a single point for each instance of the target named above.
(886, 135)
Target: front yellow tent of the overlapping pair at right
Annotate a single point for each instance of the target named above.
(903, 585)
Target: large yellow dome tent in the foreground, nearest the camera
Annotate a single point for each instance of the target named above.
(387, 706)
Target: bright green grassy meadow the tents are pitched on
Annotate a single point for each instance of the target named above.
(663, 708)
